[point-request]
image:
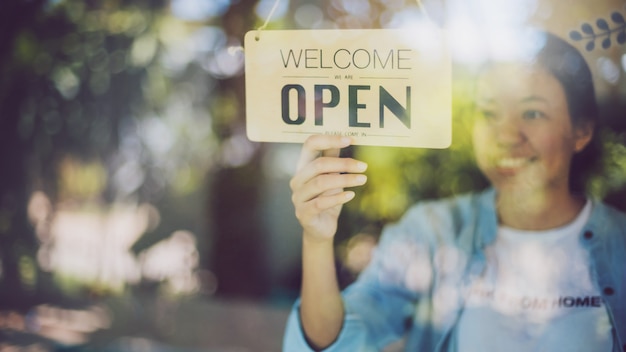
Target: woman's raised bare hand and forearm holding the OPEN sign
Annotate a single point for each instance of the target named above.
(318, 195)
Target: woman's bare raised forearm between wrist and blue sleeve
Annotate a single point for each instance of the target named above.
(321, 308)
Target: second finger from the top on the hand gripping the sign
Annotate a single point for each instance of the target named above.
(326, 165)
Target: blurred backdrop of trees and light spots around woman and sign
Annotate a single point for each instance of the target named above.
(135, 215)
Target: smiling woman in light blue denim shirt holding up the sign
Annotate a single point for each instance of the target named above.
(527, 265)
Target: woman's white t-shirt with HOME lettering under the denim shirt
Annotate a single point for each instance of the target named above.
(536, 294)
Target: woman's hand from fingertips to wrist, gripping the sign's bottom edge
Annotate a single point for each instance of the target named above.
(319, 182)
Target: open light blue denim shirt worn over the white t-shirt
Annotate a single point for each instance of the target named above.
(411, 290)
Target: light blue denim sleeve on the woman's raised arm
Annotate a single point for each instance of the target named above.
(381, 303)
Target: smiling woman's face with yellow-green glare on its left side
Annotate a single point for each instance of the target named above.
(523, 136)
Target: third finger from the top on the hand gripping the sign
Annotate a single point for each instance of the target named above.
(327, 184)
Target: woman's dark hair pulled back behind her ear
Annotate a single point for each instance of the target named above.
(568, 66)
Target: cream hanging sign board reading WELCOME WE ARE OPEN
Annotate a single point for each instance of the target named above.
(380, 87)
